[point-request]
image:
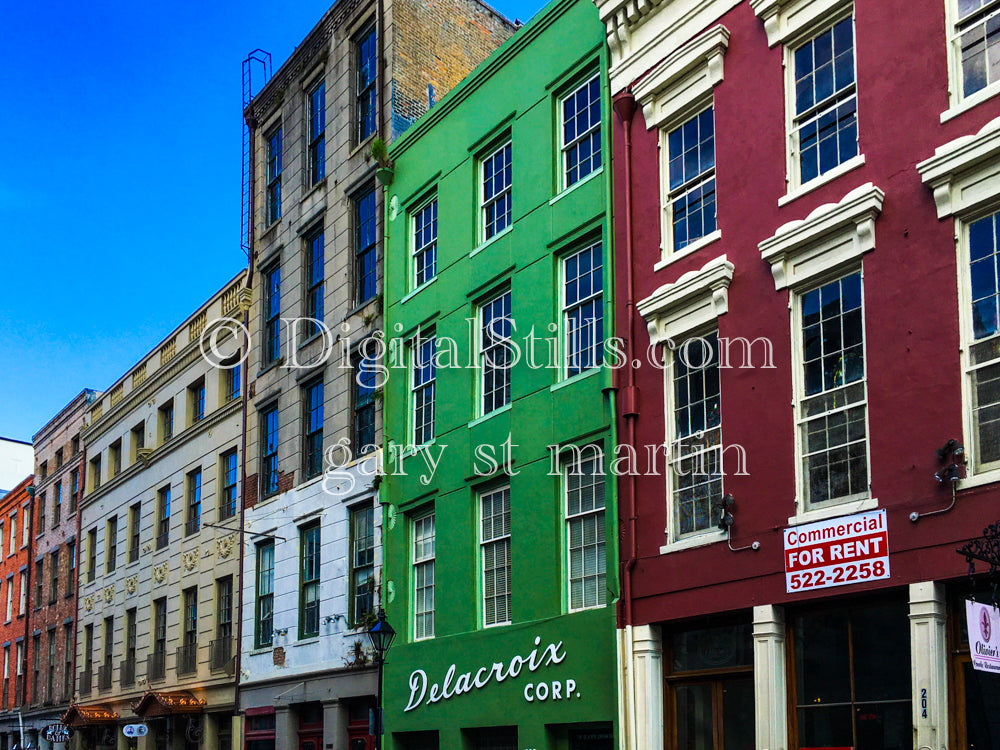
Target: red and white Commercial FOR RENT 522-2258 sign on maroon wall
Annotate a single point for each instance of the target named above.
(837, 552)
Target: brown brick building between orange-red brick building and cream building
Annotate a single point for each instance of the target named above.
(59, 472)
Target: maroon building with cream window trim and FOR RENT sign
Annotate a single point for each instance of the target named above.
(806, 240)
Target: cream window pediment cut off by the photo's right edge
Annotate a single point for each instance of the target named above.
(965, 172)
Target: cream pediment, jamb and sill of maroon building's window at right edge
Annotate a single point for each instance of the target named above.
(964, 175)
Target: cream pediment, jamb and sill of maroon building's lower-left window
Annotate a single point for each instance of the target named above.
(694, 302)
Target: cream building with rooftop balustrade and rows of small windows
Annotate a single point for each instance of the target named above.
(159, 549)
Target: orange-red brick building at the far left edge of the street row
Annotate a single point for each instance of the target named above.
(14, 613)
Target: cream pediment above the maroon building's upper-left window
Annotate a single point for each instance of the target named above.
(684, 78)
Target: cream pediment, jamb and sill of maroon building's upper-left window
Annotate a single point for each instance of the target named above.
(679, 88)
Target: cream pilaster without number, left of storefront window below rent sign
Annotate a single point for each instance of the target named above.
(770, 686)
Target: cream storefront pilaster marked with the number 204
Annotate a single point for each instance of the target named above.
(929, 664)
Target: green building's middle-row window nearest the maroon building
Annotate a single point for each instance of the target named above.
(583, 309)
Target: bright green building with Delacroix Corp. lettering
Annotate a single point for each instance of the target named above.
(499, 510)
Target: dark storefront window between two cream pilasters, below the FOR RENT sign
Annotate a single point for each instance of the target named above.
(852, 677)
